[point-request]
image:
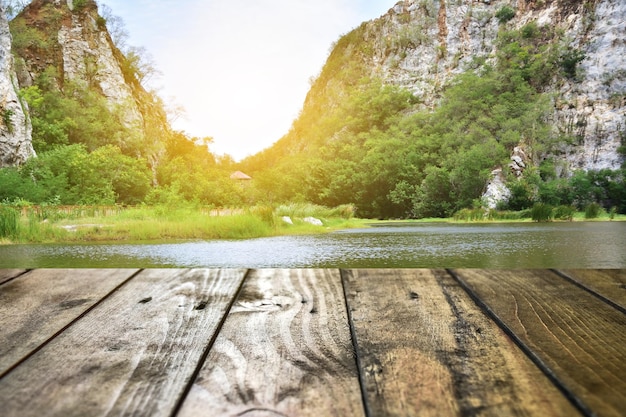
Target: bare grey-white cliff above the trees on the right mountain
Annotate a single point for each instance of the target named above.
(422, 45)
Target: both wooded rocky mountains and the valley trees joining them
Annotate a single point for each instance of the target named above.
(435, 107)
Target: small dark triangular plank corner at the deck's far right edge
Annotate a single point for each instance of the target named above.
(608, 283)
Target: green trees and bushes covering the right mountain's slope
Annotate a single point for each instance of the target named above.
(373, 145)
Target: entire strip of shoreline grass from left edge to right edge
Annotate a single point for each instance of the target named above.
(144, 223)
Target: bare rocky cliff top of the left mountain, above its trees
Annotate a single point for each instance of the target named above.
(68, 42)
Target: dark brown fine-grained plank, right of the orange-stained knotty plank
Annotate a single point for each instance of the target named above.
(579, 338)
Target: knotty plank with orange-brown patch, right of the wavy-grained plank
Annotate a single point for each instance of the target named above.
(426, 349)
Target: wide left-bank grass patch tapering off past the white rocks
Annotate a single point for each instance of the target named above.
(166, 223)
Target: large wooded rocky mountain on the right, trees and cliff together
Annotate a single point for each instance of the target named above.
(526, 89)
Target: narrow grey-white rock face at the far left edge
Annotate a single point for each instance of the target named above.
(15, 128)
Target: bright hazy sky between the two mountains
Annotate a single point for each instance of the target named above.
(240, 69)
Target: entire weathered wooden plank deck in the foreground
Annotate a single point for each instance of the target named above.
(167, 342)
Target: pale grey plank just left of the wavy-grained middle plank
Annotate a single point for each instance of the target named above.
(134, 354)
